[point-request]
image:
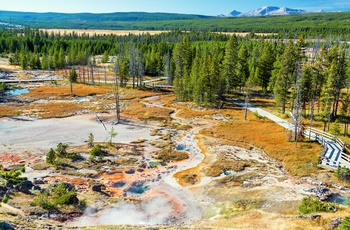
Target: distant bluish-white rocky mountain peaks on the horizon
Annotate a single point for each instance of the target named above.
(266, 11)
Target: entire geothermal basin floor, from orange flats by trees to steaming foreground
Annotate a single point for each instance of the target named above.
(168, 165)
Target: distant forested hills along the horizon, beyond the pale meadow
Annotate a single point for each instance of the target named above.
(314, 24)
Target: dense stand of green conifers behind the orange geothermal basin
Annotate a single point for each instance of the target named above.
(204, 67)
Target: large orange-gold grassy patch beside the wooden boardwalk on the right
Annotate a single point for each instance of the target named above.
(299, 160)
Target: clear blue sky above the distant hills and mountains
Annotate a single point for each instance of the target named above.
(205, 7)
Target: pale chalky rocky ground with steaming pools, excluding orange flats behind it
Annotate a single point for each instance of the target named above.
(217, 185)
